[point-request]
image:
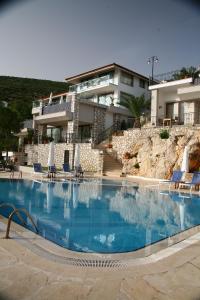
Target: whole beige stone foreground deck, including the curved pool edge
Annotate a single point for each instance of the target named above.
(28, 271)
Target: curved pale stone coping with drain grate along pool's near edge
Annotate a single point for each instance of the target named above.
(51, 251)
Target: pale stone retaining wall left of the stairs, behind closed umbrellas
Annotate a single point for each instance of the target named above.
(91, 159)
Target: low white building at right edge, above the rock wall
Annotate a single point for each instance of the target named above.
(176, 102)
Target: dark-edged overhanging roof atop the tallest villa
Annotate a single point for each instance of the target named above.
(102, 69)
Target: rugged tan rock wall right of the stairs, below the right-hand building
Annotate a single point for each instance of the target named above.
(144, 153)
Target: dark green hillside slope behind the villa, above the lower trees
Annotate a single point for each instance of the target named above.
(21, 92)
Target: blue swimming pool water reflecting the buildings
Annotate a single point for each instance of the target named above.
(101, 215)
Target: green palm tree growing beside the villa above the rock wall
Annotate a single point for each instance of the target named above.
(137, 106)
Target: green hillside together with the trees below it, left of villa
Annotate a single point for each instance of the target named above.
(19, 93)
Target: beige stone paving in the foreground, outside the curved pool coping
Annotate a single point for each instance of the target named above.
(26, 275)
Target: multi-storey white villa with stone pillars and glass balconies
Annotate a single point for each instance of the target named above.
(88, 113)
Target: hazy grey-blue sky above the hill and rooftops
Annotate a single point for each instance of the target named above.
(55, 39)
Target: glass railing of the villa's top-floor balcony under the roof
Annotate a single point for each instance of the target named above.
(81, 87)
